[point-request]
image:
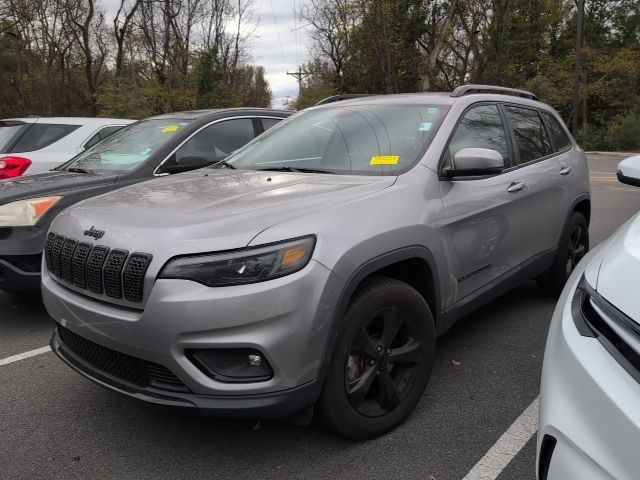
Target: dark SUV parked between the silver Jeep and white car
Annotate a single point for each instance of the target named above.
(155, 147)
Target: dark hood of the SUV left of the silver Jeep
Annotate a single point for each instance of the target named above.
(49, 183)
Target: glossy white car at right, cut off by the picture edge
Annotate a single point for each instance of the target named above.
(590, 393)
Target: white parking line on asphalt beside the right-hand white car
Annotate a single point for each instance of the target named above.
(507, 446)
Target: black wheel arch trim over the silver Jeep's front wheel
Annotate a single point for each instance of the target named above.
(367, 269)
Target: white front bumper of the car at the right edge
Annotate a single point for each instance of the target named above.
(588, 404)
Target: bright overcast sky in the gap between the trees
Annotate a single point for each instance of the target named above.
(278, 46)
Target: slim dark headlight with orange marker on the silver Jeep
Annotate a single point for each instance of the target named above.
(244, 266)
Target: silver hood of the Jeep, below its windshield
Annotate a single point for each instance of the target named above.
(208, 210)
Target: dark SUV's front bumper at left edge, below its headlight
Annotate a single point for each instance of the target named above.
(21, 258)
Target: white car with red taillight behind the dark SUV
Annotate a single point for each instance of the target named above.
(37, 144)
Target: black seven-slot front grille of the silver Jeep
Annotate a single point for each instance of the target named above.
(98, 269)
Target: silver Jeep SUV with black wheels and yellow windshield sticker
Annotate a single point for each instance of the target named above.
(318, 264)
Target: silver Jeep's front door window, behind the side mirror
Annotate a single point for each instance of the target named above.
(481, 127)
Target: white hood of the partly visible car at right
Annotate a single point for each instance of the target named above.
(619, 274)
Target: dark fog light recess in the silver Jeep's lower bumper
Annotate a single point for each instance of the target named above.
(232, 365)
